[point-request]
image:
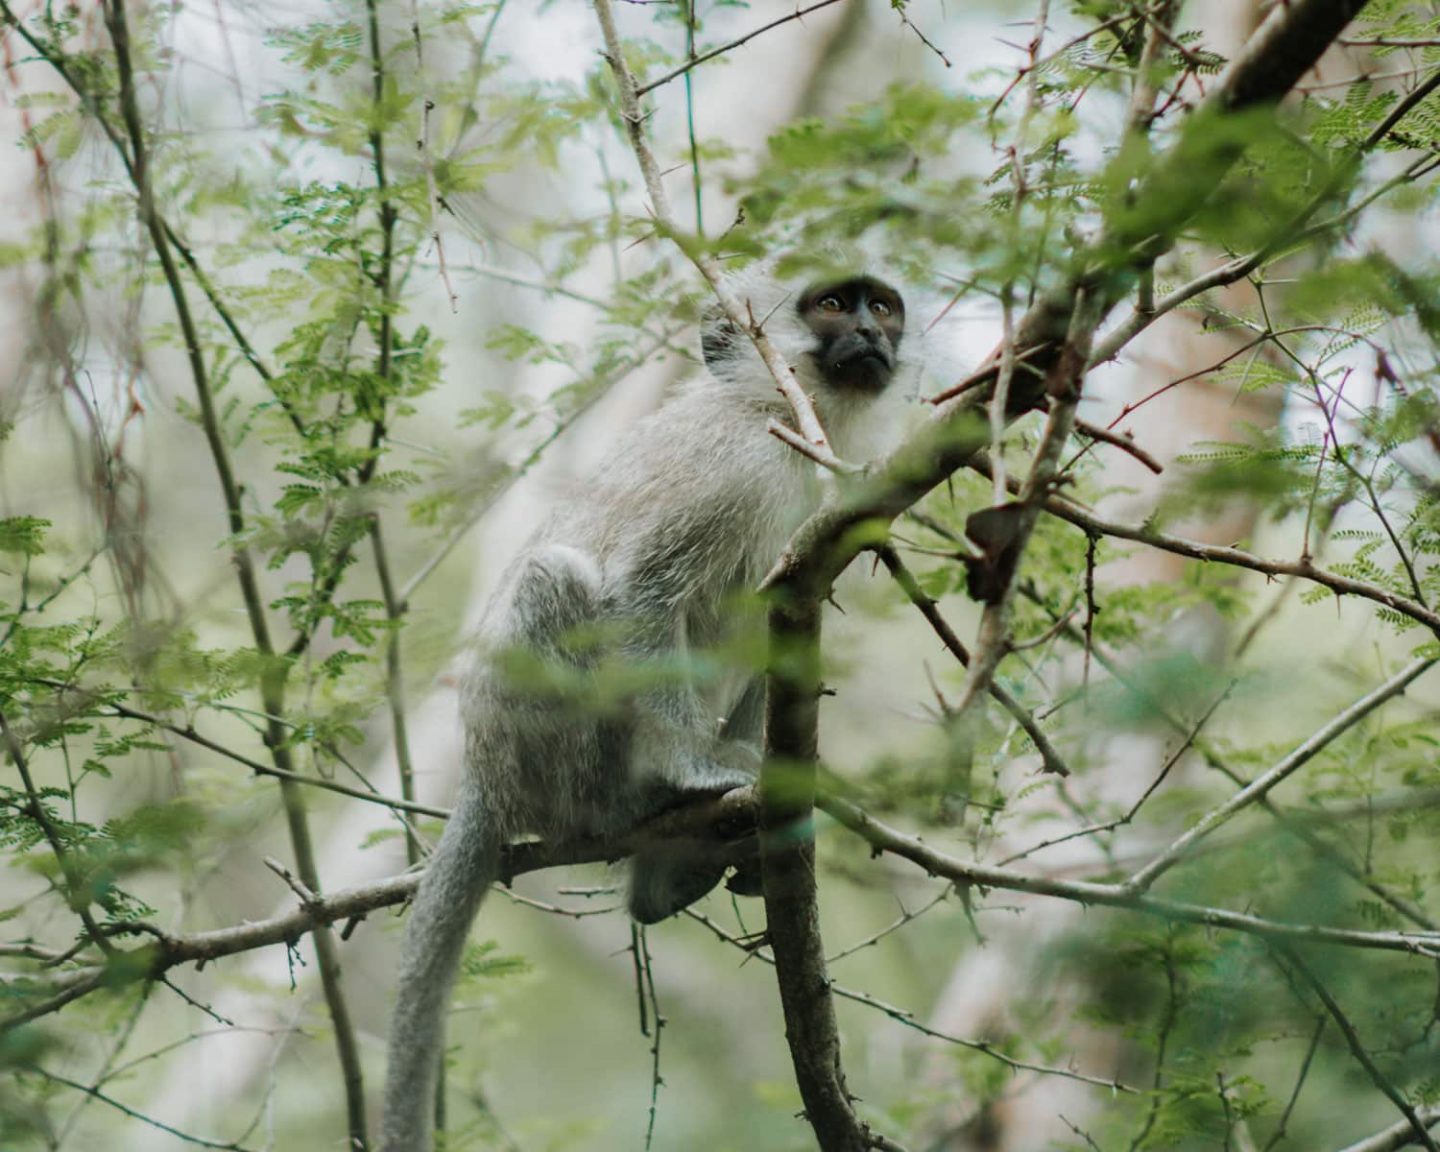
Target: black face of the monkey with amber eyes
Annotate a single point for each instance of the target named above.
(858, 325)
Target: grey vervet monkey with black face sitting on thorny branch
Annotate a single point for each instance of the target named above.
(639, 570)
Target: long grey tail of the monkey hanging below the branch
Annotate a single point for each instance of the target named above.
(466, 865)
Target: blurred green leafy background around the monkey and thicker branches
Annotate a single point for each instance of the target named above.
(310, 310)
